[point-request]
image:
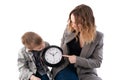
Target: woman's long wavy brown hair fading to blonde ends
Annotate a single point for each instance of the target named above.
(83, 16)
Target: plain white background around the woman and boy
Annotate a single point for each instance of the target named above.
(49, 18)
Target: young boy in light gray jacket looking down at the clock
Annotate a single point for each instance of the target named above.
(30, 64)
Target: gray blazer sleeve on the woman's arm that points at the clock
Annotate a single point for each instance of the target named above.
(95, 60)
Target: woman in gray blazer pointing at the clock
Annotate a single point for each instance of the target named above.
(82, 46)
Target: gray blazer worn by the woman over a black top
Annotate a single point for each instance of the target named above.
(89, 59)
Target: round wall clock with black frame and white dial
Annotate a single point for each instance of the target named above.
(53, 55)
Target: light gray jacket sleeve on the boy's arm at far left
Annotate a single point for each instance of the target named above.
(25, 73)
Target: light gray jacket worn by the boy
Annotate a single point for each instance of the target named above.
(26, 64)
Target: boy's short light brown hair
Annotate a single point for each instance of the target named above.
(31, 40)
